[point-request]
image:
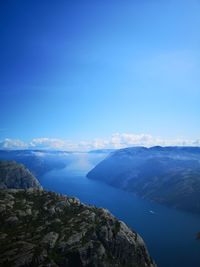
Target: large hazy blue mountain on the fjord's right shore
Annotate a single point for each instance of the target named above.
(168, 175)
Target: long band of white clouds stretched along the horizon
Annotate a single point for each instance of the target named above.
(116, 141)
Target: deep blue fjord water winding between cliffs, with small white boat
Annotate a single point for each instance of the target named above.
(168, 233)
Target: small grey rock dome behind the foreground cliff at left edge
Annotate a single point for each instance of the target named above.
(14, 175)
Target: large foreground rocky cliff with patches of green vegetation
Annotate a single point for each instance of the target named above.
(40, 228)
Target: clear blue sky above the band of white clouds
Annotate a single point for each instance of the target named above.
(81, 70)
